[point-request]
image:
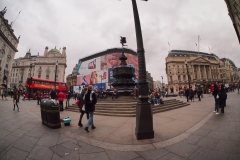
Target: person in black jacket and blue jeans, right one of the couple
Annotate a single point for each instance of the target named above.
(90, 101)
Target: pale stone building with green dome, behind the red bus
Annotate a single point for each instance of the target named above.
(39, 67)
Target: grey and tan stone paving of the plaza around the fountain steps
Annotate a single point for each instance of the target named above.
(192, 132)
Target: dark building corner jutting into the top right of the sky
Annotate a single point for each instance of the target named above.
(234, 13)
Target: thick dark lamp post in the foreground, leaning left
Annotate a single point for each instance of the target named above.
(144, 118)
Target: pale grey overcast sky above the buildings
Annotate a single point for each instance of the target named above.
(90, 26)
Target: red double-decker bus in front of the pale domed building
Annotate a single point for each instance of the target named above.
(44, 86)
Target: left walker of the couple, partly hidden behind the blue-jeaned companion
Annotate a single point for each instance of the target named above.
(81, 98)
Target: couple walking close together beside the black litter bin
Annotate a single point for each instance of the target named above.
(88, 99)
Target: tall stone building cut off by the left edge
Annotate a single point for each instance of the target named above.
(8, 48)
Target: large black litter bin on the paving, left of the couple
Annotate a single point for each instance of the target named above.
(50, 114)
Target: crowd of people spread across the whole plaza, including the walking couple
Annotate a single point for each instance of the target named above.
(88, 99)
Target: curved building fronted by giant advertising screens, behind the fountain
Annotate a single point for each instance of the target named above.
(96, 69)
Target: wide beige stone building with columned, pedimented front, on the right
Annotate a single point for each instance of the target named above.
(204, 69)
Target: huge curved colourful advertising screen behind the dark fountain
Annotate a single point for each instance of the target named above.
(98, 70)
